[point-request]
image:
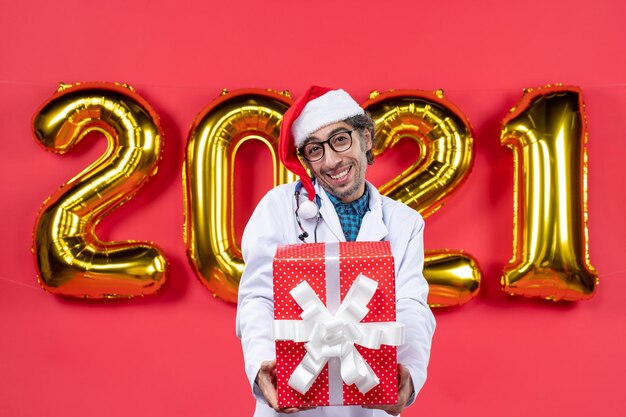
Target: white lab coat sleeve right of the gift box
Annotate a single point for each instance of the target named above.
(412, 308)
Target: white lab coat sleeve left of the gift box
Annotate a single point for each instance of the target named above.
(255, 307)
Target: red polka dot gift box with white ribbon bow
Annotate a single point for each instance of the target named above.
(335, 324)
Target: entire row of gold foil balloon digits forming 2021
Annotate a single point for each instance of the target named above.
(547, 133)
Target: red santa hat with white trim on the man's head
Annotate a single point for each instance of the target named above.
(318, 107)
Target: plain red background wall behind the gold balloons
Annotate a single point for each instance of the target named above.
(175, 353)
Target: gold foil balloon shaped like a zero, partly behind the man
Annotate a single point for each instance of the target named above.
(216, 135)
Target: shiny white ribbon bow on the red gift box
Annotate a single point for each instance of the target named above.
(329, 335)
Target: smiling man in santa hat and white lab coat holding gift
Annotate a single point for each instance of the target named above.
(334, 137)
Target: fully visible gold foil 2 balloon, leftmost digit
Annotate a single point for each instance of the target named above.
(70, 258)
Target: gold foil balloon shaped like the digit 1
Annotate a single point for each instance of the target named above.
(547, 133)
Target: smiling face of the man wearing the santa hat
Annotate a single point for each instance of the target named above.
(342, 173)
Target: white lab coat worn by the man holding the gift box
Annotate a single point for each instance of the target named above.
(273, 223)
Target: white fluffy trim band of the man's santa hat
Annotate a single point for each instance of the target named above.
(332, 107)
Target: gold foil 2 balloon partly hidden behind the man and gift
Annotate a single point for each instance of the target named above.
(445, 141)
